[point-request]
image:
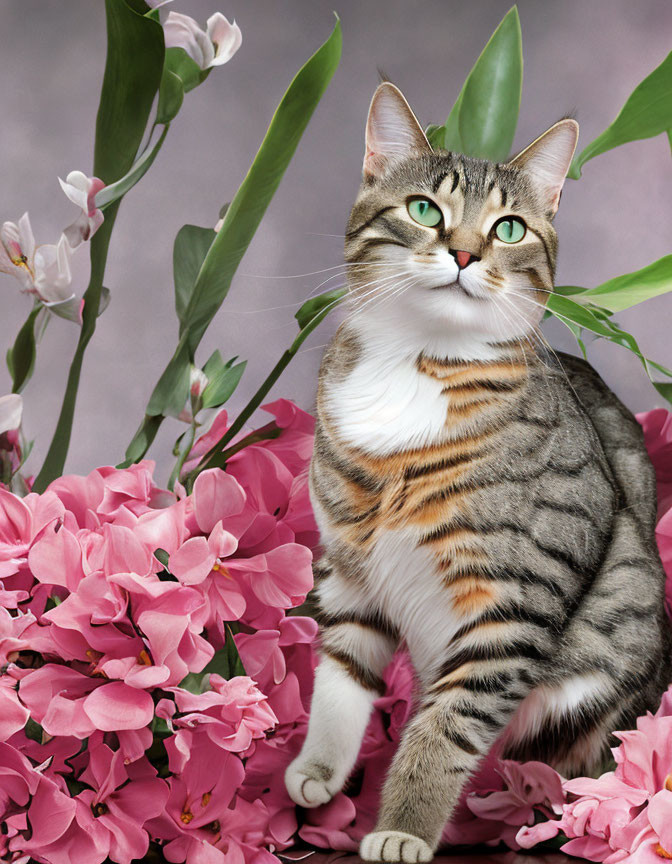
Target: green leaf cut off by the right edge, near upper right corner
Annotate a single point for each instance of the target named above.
(647, 112)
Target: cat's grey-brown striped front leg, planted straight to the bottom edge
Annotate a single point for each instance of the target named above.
(459, 720)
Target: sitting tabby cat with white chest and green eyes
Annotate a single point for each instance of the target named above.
(482, 500)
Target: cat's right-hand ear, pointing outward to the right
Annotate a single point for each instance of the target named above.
(547, 160)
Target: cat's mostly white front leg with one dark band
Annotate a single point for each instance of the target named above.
(347, 682)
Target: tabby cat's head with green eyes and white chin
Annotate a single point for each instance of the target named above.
(453, 244)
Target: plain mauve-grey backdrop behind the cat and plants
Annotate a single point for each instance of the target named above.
(581, 57)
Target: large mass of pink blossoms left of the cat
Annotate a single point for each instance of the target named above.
(115, 596)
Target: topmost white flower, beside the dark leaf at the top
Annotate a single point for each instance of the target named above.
(212, 48)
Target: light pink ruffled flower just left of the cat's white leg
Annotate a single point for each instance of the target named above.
(233, 713)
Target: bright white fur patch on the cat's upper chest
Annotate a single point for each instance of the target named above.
(386, 406)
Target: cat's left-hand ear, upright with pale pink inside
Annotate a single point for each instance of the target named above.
(392, 130)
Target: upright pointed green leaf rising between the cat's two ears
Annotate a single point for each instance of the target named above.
(483, 120)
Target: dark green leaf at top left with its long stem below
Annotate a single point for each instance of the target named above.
(135, 52)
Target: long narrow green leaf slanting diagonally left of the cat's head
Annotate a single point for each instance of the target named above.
(257, 189)
